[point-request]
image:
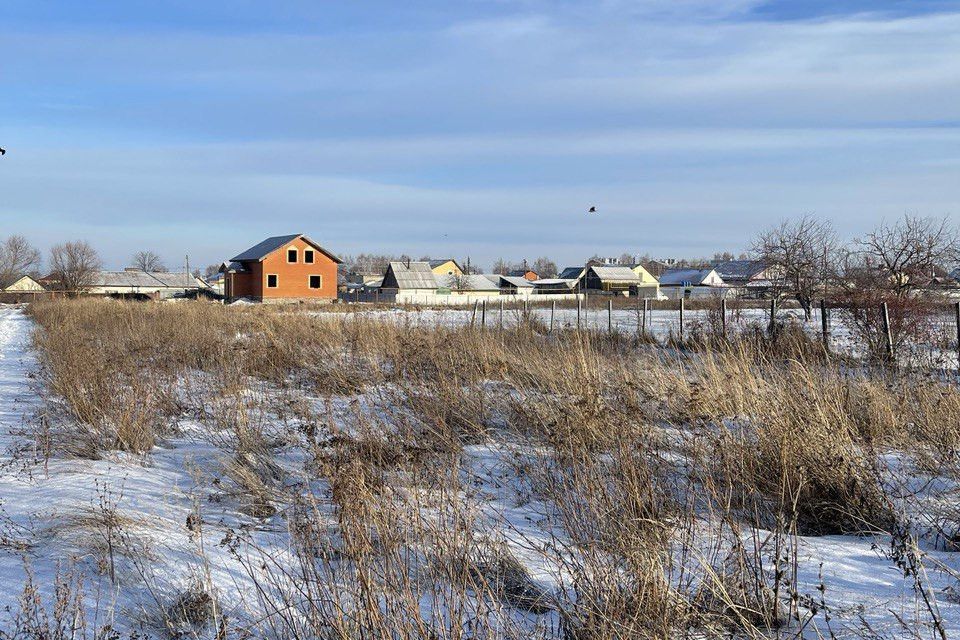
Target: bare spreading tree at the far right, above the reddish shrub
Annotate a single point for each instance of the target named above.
(907, 252)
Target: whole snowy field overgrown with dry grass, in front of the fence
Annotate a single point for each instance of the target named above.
(199, 471)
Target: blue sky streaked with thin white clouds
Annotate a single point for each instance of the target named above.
(471, 128)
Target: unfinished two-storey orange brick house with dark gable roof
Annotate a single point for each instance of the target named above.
(282, 268)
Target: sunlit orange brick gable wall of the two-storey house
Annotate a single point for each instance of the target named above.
(293, 278)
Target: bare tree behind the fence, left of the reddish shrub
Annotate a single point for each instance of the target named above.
(800, 257)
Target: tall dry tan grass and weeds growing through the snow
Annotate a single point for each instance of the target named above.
(653, 465)
